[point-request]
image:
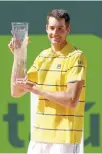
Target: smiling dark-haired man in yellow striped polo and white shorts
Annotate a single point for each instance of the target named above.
(58, 77)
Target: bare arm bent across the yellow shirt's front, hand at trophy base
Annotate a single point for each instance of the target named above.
(64, 98)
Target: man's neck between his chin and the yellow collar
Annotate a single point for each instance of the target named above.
(58, 47)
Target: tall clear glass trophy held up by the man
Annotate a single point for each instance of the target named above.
(20, 40)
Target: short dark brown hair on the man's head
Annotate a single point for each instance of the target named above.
(59, 14)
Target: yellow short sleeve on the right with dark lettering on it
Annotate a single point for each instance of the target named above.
(77, 69)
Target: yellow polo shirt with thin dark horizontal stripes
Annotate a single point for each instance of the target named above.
(52, 72)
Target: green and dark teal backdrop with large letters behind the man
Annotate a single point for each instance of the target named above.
(86, 34)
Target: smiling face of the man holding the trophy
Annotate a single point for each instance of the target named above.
(57, 31)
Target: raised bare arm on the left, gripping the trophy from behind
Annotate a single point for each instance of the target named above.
(19, 64)
